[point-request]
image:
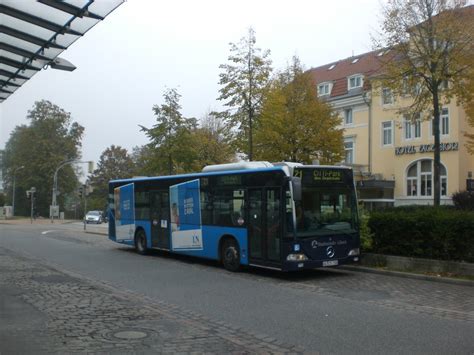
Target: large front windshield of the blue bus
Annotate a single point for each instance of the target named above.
(326, 211)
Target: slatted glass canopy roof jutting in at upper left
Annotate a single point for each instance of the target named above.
(34, 33)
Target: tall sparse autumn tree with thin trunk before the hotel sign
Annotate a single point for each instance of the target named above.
(431, 51)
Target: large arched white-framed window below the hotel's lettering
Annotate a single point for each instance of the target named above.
(420, 179)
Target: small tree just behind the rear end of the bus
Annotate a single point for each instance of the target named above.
(114, 163)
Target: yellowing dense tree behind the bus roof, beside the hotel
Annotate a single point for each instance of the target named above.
(294, 124)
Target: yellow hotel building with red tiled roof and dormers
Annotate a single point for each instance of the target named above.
(392, 157)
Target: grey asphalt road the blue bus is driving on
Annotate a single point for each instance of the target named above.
(327, 311)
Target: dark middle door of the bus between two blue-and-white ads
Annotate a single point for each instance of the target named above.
(160, 219)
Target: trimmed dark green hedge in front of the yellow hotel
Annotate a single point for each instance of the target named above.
(442, 233)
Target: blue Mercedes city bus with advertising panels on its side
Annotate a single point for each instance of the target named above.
(282, 216)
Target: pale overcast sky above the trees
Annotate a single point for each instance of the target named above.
(126, 61)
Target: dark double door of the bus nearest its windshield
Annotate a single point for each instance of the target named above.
(264, 225)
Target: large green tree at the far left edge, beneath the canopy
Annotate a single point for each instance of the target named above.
(50, 138)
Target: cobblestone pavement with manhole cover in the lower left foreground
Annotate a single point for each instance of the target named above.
(81, 315)
